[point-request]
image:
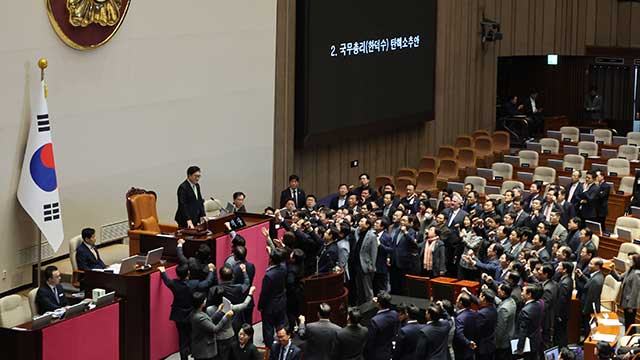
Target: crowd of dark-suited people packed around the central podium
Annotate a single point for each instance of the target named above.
(529, 254)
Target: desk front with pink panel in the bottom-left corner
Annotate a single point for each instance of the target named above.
(90, 335)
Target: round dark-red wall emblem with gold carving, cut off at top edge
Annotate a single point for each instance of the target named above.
(86, 24)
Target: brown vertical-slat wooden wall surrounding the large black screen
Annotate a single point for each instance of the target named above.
(465, 80)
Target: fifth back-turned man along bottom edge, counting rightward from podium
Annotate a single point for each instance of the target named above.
(432, 343)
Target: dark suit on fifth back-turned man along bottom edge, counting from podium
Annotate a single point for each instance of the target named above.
(433, 341)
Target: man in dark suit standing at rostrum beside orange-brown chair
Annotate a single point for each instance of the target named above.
(190, 203)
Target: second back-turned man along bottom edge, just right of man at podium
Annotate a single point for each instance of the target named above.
(351, 340)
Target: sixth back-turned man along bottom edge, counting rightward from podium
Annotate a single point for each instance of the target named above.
(466, 335)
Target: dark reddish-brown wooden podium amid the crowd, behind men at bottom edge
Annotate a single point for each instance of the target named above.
(326, 288)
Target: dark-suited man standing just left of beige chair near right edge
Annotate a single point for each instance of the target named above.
(590, 297)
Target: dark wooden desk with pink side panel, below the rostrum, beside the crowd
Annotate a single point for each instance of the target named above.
(145, 329)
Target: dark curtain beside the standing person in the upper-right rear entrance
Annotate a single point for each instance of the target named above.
(615, 85)
